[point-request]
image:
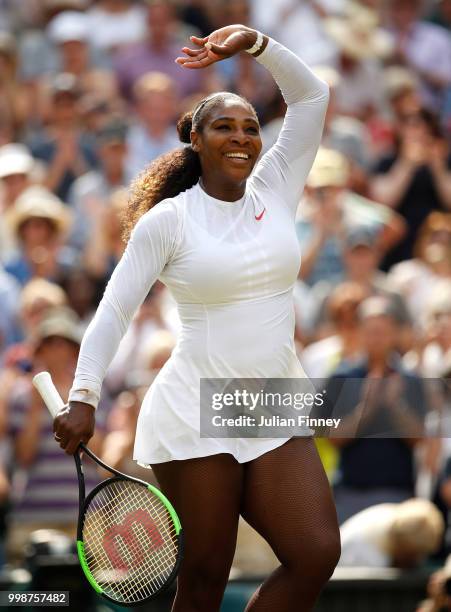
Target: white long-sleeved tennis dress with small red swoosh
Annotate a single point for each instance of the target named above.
(231, 267)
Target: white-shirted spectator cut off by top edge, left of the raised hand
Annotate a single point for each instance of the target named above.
(113, 24)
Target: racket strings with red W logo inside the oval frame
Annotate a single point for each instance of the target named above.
(130, 541)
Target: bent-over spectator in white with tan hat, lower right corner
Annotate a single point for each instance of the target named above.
(392, 535)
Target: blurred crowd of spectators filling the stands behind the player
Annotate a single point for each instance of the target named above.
(89, 95)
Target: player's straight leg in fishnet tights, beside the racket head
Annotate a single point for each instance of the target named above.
(206, 494)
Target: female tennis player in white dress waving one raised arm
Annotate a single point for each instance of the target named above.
(223, 241)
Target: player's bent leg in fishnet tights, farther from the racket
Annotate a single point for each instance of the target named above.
(287, 499)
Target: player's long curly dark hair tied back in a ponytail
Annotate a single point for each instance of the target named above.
(176, 171)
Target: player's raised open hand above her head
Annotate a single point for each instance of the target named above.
(218, 45)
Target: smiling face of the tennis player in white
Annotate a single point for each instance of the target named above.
(228, 141)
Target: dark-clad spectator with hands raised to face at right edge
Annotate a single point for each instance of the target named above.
(415, 179)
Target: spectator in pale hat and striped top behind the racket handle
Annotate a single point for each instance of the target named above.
(50, 497)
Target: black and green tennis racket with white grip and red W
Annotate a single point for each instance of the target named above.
(129, 538)
